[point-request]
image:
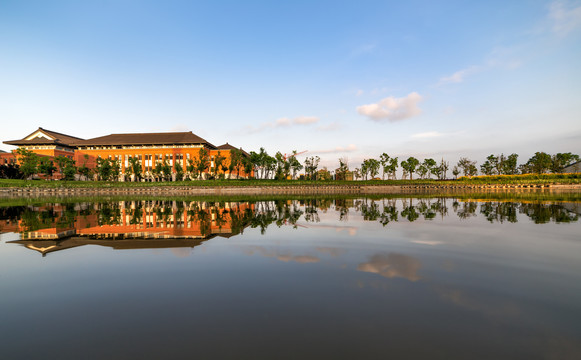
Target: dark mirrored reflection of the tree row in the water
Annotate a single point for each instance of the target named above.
(261, 214)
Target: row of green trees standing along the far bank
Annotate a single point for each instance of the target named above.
(279, 167)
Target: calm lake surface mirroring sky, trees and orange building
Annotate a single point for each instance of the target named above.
(397, 278)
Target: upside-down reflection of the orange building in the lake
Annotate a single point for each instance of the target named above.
(127, 225)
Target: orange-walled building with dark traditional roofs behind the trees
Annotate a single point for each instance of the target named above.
(149, 149)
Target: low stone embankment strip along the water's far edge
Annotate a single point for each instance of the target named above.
(11, 192)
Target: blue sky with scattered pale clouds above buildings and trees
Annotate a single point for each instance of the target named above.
(340, 79)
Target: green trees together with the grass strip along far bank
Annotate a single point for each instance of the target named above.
(284, 170)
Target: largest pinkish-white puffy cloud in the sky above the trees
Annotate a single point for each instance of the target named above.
(393, 109)
